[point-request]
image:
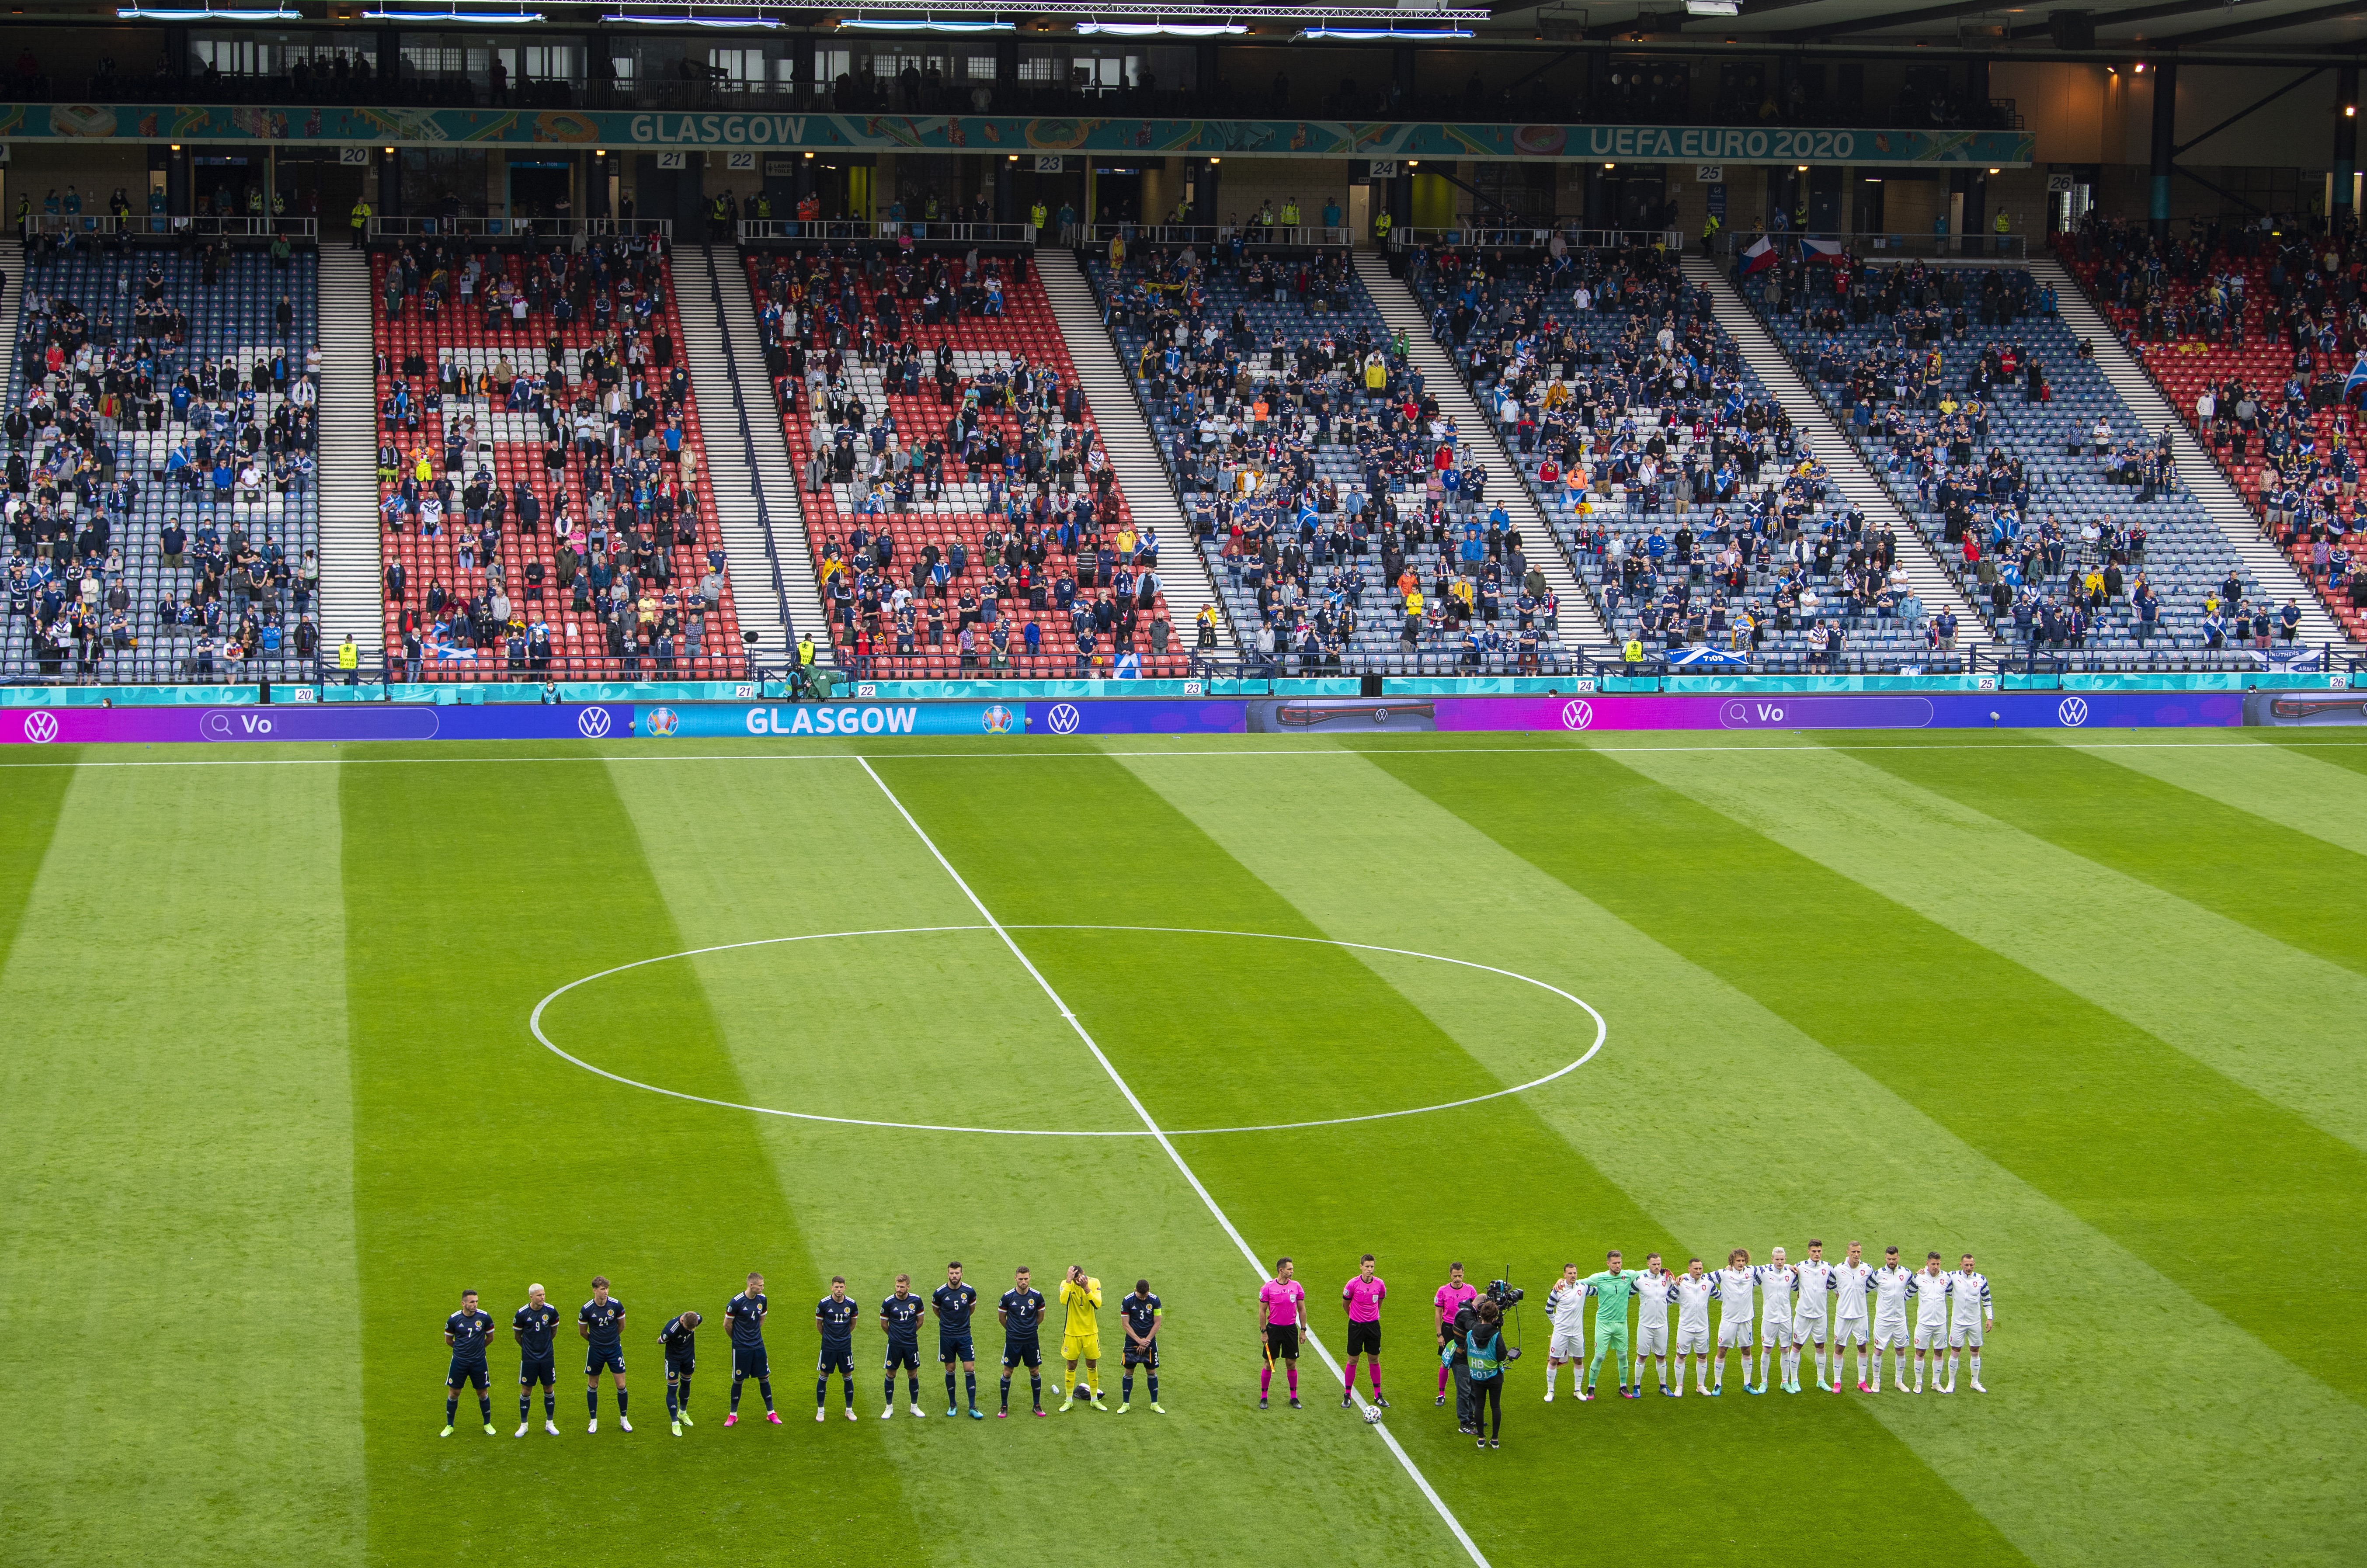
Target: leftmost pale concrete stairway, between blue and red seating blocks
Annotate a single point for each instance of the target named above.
(351, 569)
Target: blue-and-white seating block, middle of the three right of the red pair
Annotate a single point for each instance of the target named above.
(1660, 576)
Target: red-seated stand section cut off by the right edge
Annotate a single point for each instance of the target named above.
(2255, 339)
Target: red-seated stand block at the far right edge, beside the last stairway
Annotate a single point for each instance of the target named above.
(2207, 320)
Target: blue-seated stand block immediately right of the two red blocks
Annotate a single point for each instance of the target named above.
(1327, 491)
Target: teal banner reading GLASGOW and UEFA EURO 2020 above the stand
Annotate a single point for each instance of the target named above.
(666, 131)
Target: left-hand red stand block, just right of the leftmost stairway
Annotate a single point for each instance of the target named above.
(543, 493)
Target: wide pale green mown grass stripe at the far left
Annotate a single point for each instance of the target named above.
(176, 1134)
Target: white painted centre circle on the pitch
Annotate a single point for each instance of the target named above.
(1005, 931)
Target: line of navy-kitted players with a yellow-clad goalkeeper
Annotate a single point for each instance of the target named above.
(600, 1323)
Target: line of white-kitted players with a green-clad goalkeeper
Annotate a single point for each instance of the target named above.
(1866, 1304)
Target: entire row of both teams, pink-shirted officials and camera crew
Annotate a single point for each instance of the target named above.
(1800, 1307)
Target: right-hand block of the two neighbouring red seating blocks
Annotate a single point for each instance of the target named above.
(1007, 569)
